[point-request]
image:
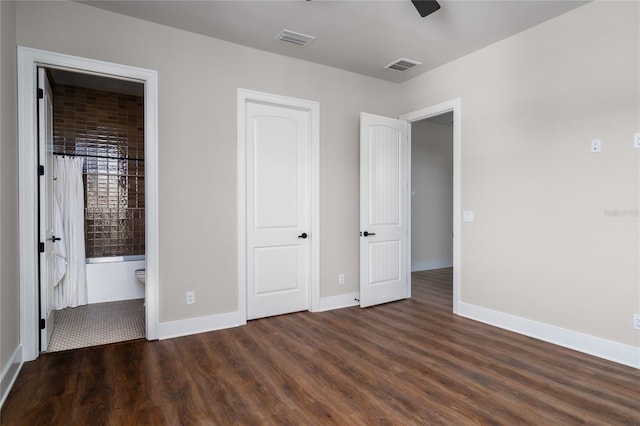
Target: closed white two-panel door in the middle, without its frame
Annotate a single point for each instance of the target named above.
(277, 147)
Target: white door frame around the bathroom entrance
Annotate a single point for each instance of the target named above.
(28, 61)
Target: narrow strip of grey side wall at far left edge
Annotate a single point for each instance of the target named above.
(9, 281)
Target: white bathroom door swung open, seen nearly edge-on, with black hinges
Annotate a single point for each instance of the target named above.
(47, 259)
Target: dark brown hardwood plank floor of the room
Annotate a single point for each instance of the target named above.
(408, 362)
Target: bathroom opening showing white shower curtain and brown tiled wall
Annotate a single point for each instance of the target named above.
(92, 209)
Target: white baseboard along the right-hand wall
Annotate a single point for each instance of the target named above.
(596, 346)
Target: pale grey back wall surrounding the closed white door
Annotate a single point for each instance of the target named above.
(198, 78)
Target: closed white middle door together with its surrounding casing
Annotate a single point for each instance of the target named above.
(278, 201)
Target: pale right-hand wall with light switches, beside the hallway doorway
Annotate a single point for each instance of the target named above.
(542, 246)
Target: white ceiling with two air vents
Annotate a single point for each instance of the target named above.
(358, 36)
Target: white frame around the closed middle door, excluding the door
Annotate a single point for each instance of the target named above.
(313, 107)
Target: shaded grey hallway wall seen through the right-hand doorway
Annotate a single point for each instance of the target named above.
(431, 195)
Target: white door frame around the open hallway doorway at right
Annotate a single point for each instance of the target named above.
(421, 114)
